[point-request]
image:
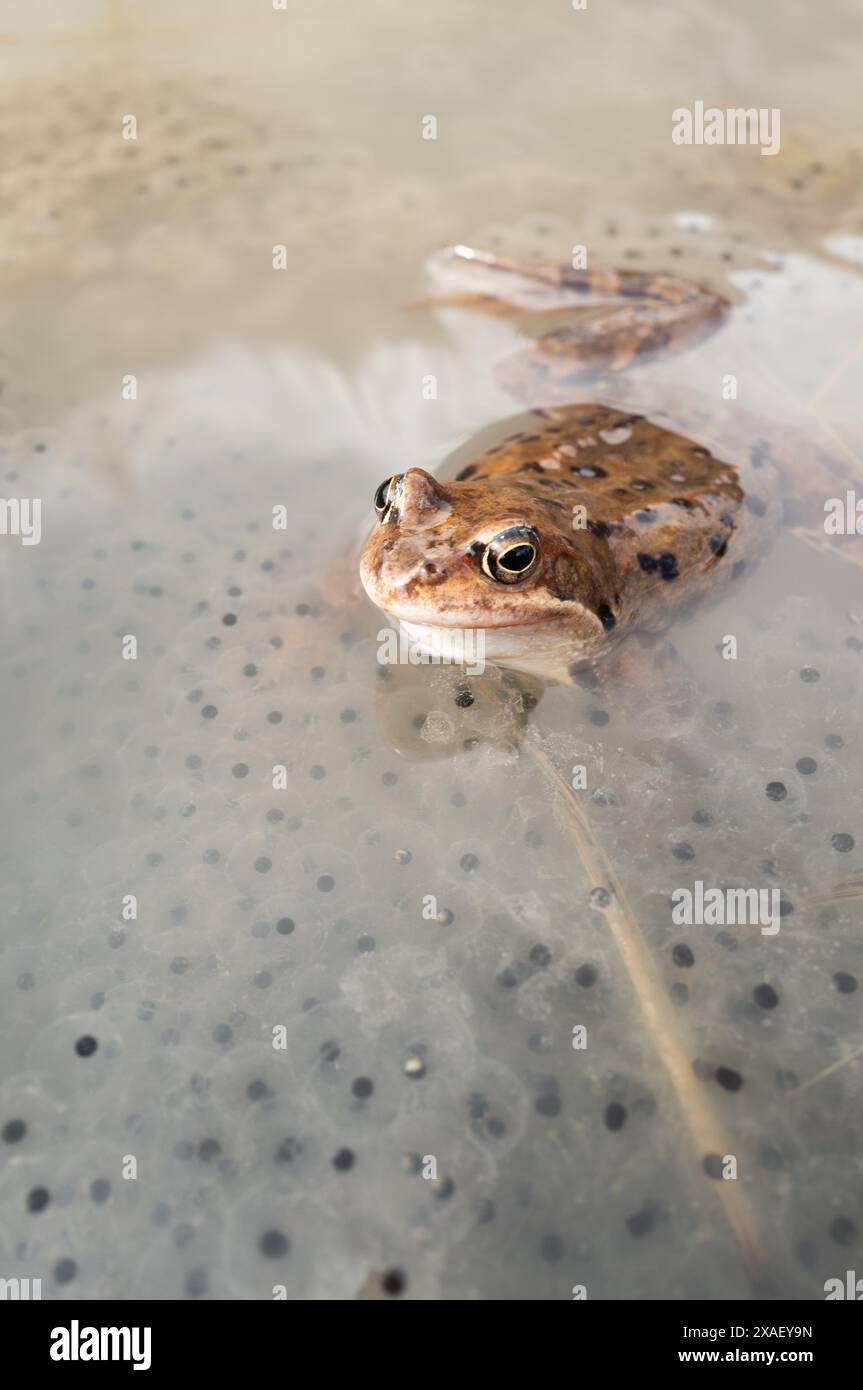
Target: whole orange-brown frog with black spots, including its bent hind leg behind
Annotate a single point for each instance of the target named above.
(589, 522)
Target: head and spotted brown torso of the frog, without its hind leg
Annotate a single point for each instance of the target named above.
(612, 522)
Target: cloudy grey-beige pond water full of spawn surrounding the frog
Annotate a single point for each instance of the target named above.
(370, 919)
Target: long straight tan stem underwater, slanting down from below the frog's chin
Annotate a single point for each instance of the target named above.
(662, 1022)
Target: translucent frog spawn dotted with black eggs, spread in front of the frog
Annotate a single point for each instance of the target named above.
(461, 1021)
